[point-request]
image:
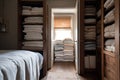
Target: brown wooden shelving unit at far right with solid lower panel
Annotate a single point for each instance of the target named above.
(110, 57)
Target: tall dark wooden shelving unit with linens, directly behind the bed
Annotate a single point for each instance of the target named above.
(31, 16)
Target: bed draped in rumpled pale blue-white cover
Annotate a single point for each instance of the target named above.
(20, 65)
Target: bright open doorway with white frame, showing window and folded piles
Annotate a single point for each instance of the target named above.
(64, 36)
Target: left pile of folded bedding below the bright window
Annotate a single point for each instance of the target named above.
(58, 50)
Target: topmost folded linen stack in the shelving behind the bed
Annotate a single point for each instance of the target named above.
(28, 10)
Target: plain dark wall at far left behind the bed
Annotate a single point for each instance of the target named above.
(8, 40)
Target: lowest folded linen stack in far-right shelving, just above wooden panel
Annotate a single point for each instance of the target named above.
(110, 45)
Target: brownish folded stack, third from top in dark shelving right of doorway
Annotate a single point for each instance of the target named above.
(90, 32)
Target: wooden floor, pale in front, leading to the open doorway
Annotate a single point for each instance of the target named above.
(66, 71)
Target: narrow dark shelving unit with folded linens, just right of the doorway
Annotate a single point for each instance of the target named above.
(89, 28)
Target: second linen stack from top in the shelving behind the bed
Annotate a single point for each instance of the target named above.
(33, 20)
